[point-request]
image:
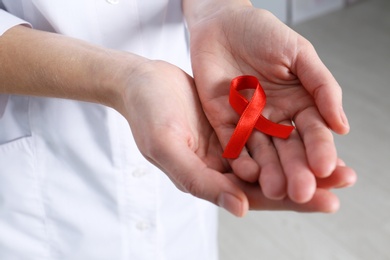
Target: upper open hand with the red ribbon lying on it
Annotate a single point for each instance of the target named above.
(234, 40)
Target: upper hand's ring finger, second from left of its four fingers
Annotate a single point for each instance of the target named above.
(272, 179)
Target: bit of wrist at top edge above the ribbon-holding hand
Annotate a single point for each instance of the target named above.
(198, 10)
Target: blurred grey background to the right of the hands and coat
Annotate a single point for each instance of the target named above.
(353, 40)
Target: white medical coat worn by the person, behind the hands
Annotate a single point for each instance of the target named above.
(73, 184)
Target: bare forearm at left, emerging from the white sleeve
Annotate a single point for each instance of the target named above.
(46, 64)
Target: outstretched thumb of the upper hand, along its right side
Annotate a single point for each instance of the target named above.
(322, 86)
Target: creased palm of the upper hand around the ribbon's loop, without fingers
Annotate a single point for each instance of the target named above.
(218, 57)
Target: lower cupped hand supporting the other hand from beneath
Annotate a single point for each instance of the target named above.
(171, 130)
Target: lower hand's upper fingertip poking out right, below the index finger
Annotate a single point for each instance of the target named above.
(342, 177)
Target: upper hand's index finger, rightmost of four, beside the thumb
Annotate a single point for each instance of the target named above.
(318, 140)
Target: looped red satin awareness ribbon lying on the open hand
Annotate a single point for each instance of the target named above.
(250, 116)
